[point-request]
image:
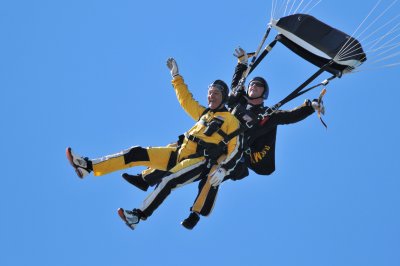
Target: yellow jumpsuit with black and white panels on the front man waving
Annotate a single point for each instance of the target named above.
(186, 169)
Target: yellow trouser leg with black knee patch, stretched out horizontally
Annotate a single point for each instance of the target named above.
(155, 157)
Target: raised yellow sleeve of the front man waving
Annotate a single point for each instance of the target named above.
(185, 98)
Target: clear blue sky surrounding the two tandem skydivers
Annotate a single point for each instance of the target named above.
(92, 75)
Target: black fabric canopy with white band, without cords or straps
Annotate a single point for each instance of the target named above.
(319, 43)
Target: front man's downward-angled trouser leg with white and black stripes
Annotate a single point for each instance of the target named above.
(185, 172)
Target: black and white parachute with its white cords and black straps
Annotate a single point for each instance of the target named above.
(329, 48)
